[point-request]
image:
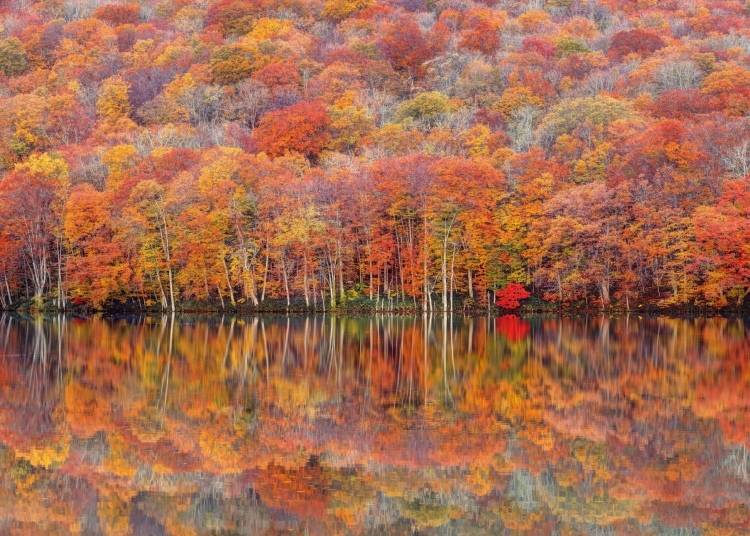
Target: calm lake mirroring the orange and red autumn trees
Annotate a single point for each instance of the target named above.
(374, 425)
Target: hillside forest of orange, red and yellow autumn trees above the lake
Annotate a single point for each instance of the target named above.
(427, 153)
